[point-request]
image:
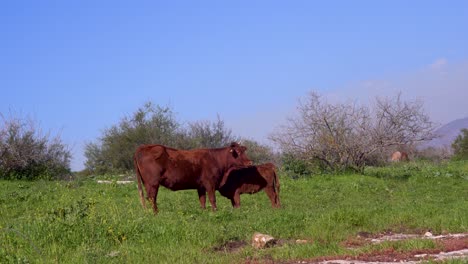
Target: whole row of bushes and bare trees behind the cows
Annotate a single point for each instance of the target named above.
(323, 137)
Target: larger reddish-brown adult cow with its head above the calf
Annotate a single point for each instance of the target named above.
(200, 169)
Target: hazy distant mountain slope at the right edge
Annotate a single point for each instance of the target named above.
(447, 134)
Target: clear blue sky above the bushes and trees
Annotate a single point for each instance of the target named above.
(79, 66)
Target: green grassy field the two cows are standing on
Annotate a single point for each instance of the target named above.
(82, 221)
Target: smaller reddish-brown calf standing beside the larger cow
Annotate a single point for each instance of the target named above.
(251, 179)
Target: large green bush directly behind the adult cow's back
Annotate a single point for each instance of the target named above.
(150, 124)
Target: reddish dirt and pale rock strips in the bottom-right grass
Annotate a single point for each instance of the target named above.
(446, 247)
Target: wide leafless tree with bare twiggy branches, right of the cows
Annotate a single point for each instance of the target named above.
(344, 135)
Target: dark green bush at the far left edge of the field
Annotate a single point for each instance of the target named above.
(25, 153)
